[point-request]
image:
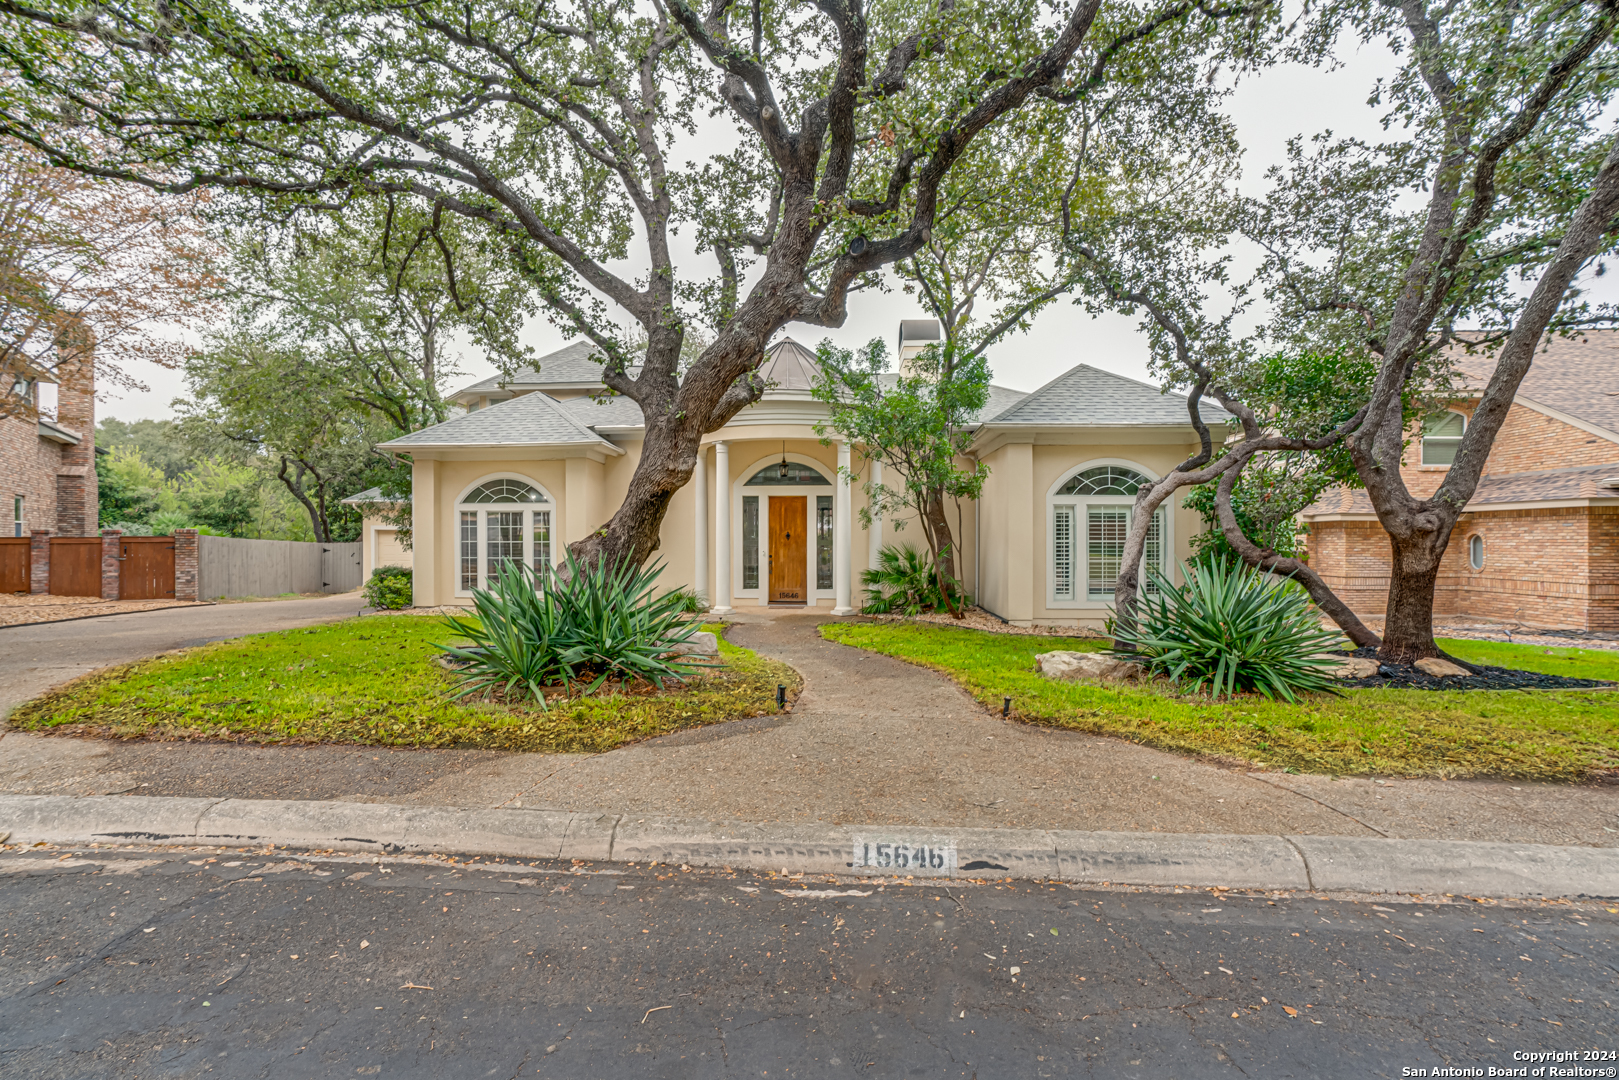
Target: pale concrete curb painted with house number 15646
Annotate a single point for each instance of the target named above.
(1136, 859)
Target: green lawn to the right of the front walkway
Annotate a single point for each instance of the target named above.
(1549, 736)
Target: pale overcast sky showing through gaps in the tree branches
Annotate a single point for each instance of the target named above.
(1268, 111)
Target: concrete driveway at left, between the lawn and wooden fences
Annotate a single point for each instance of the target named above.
(35, 658)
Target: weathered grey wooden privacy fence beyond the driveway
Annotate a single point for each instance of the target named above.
(249, 568)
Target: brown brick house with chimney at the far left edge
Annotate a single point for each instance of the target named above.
(48, 466)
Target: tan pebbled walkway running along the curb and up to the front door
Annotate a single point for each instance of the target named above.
(872, 741)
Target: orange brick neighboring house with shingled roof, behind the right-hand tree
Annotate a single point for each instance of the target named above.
(1539, 545)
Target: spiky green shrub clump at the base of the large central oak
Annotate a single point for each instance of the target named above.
(577, 632)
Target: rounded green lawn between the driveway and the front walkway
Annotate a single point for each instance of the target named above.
(373, 681)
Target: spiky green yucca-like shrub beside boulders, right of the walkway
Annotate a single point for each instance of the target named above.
(1231, 629)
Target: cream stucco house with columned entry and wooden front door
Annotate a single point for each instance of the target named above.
(540, 461)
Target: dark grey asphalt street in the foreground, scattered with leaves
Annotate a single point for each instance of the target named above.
(271, 964)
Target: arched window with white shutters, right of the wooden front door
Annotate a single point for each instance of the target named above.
(1090, 521)
